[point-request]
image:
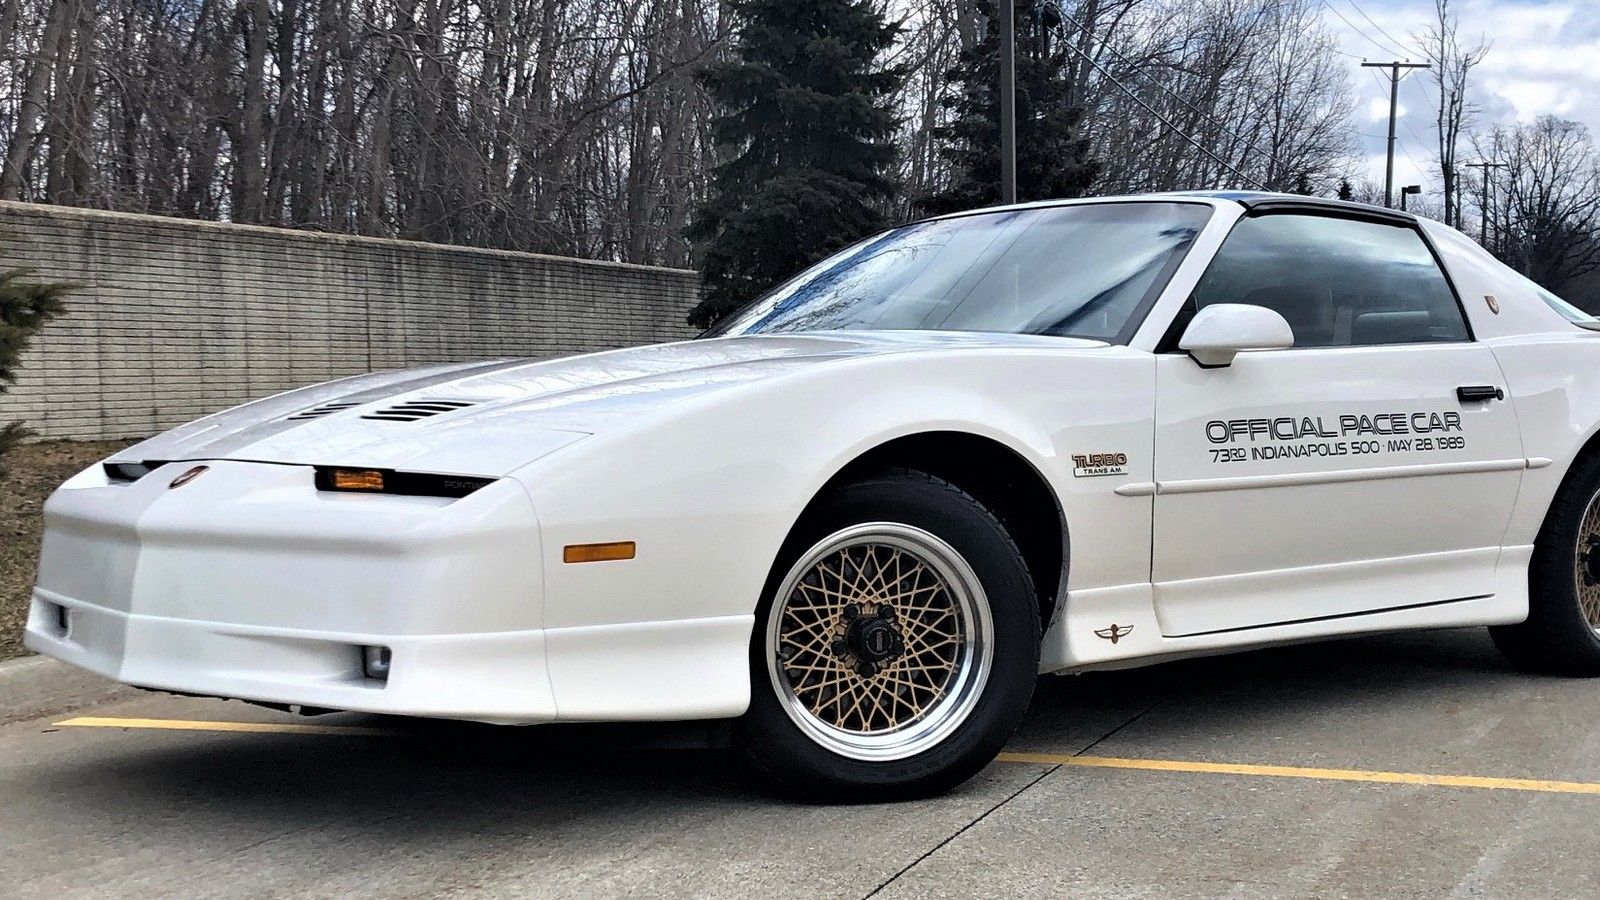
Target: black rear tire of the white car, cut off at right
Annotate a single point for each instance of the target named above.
(1562, 633)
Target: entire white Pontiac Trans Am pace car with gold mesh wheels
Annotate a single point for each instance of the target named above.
(866, 512)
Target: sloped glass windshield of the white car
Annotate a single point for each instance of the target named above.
(1084, 271)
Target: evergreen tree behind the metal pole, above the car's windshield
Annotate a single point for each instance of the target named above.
(1052, 156)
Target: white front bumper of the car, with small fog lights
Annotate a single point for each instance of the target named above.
(250, 584)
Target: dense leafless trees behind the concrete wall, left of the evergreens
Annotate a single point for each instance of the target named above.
(559, 126)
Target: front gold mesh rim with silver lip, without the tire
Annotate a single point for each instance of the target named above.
(879, 641)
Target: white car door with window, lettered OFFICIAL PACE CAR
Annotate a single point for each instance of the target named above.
(1372, 467)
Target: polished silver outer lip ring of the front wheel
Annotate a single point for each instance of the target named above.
(975, 669)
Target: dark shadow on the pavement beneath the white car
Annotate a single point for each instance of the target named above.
(446, 776)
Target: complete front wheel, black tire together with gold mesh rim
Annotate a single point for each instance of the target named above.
(897, 646)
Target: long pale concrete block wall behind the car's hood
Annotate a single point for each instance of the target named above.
(177, 318)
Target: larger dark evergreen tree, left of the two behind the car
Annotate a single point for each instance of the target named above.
(807, 127)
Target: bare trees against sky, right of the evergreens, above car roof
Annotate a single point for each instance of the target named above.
(1220, 94)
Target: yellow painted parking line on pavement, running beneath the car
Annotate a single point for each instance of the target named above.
(1039, 758)
